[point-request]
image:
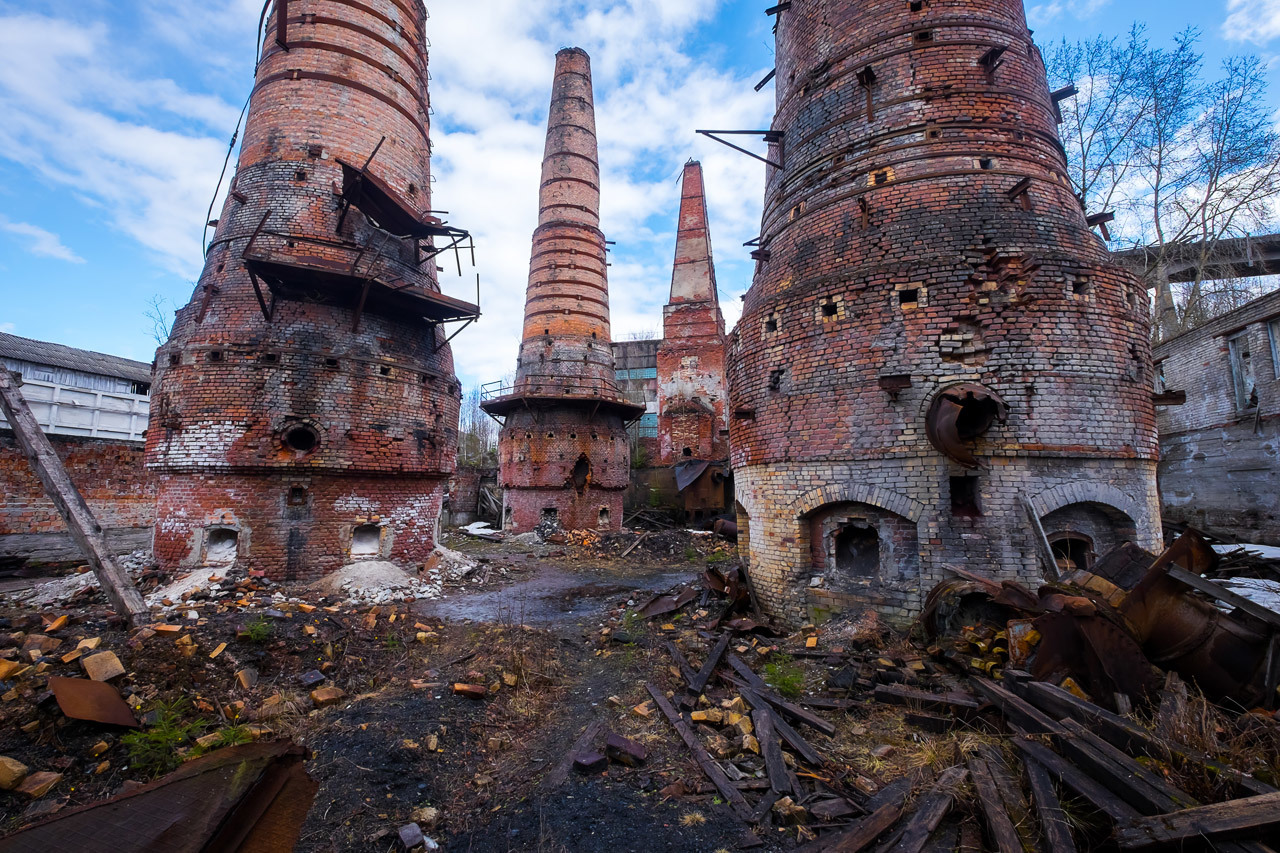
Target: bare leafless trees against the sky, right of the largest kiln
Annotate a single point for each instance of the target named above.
(1186, 163)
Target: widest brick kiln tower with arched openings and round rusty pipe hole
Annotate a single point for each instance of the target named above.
(935, 337)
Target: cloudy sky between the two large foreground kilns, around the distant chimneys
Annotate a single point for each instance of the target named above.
(652, 93)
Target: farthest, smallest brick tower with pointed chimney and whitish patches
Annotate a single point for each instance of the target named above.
(693, 395)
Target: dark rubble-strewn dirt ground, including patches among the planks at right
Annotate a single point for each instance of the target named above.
(555, 637)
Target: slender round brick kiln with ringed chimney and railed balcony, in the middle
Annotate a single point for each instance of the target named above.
(564, 444)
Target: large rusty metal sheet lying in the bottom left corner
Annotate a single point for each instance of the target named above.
(241, 800)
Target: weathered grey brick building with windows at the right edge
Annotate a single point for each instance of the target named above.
(1220, 451)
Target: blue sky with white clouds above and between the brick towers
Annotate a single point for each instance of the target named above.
(118, 113)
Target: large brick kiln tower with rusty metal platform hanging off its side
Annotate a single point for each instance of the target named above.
(305, 408)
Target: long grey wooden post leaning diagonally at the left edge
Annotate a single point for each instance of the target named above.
(71, 505)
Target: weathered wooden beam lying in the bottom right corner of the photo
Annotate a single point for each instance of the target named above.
(1258, 816)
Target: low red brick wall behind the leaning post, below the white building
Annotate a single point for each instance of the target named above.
(109, 475)
